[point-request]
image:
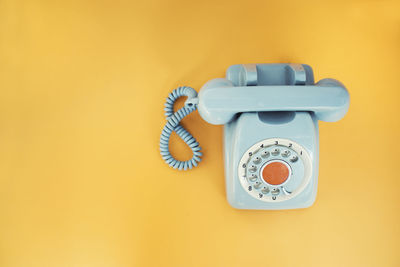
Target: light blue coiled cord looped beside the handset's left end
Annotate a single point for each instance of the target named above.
(173, 124)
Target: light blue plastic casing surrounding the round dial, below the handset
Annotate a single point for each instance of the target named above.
(248, 129)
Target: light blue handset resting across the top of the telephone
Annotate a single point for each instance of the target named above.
(220, 100)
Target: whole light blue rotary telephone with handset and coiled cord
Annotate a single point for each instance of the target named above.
(270, 113)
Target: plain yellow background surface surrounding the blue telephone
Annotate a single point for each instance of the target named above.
(83, 85)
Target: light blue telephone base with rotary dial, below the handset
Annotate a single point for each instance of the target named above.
(256, 139)
